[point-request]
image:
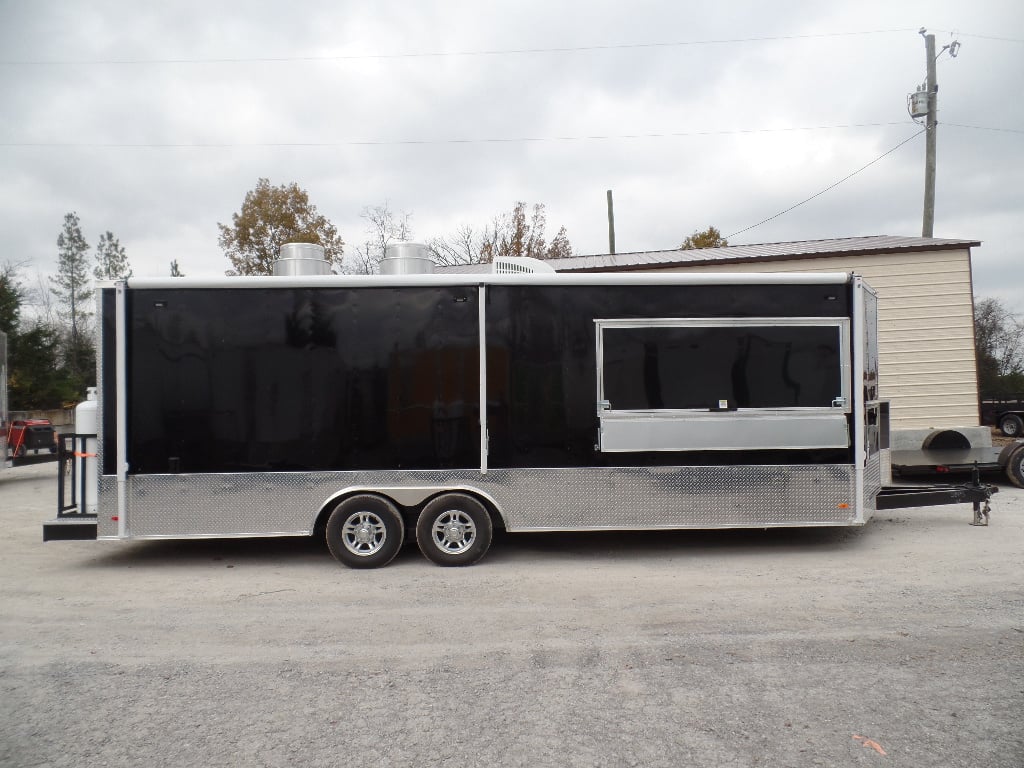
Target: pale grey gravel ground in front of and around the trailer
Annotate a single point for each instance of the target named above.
(901, 644)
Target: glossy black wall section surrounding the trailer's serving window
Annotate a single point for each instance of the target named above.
(542, 363)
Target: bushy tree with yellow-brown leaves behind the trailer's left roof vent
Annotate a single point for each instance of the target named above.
(271, 218)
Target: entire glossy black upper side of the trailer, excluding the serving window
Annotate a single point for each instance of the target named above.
(282, 379)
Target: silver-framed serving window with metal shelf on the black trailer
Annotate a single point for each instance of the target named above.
(723, 383)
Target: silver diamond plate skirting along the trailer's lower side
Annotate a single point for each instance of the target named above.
(269, 504)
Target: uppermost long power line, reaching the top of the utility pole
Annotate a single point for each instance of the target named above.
(441, 55)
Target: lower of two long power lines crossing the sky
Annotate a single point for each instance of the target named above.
(416, 143)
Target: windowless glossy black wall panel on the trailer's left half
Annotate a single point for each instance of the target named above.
(301, 379)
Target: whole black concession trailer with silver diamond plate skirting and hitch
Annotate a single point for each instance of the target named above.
(371, 410)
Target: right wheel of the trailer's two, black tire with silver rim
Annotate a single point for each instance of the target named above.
(454, 530)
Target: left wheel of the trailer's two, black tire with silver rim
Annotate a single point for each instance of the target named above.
(365, 532)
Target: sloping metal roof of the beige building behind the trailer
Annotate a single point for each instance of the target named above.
(737, 254)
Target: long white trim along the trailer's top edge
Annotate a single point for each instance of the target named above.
(559, 279)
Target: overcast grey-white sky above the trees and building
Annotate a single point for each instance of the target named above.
(154, 120)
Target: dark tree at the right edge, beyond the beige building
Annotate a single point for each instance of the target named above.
(999, 342)
